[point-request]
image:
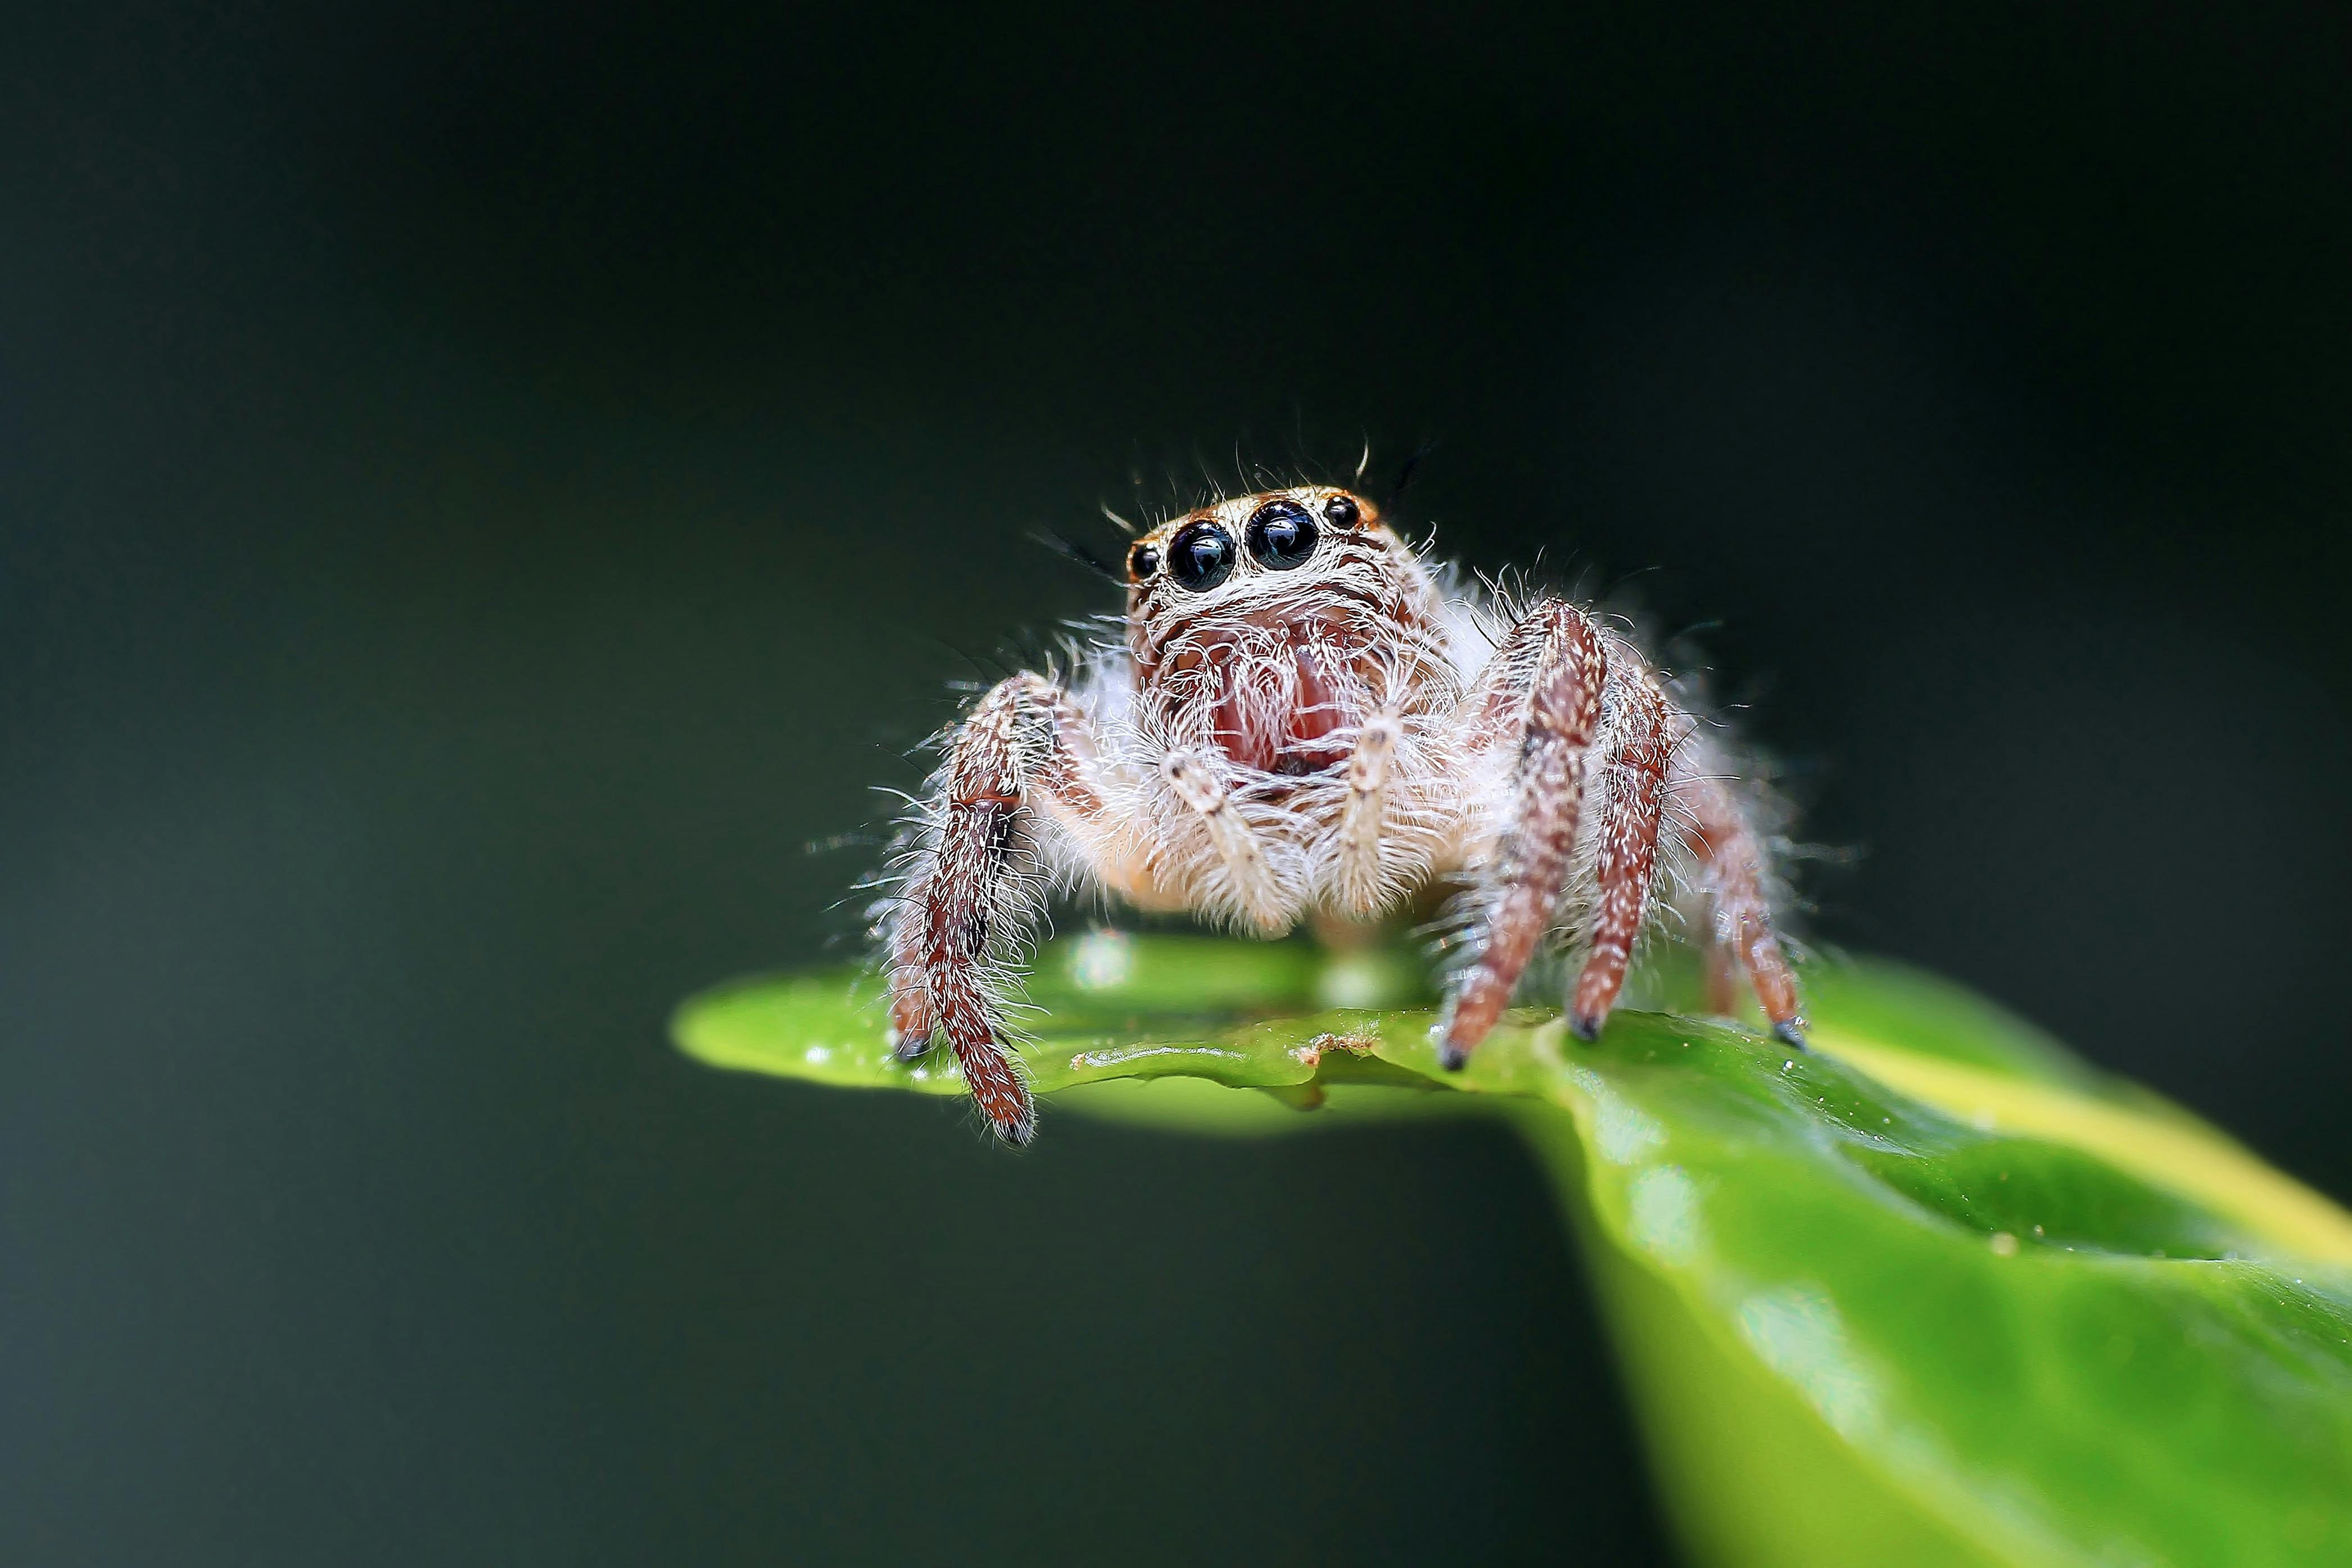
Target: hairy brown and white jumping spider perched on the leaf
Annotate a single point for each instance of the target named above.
(1309, 721)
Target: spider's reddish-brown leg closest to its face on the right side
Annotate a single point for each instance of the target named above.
(1563, 664)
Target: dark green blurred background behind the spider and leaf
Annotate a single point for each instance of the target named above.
(486, 488)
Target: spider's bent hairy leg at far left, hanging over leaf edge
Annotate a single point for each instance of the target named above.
(1020, 765)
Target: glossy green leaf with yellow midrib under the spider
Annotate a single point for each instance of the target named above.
(1932, 1294)
